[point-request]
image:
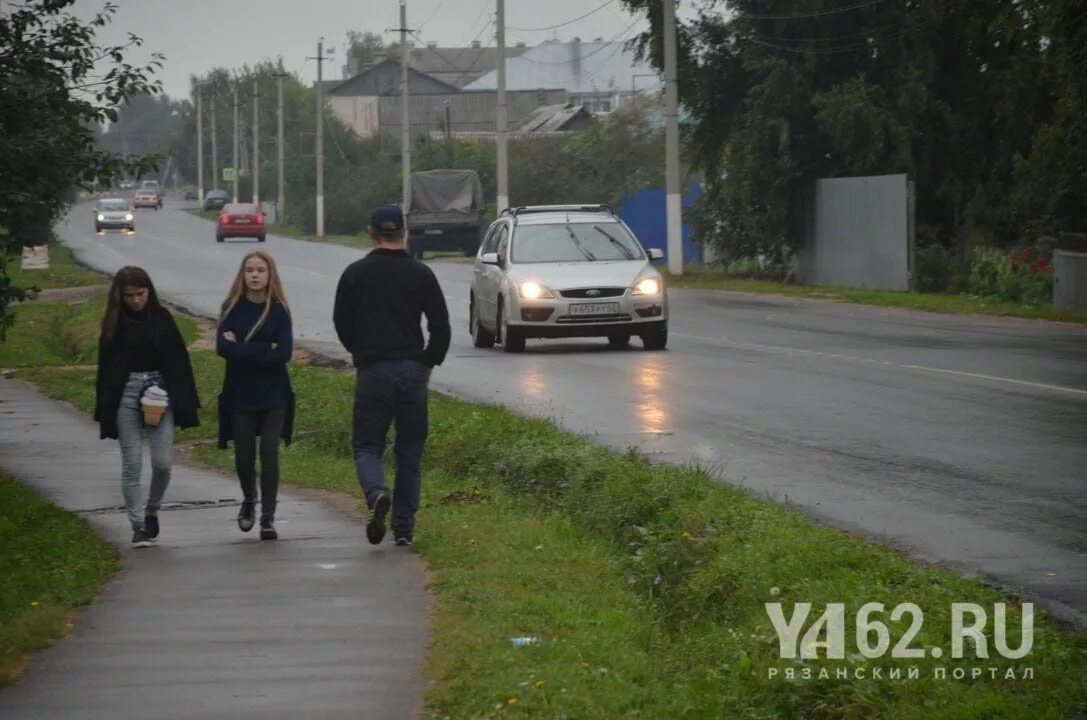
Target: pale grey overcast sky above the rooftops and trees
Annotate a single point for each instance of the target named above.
(198, 35)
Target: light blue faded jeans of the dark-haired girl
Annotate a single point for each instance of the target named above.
(131, 438)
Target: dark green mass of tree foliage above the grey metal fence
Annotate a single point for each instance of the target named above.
(982, 104)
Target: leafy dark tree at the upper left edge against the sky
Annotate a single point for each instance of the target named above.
(57, 85)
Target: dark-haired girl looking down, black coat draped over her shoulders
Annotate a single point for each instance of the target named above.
(141, 347)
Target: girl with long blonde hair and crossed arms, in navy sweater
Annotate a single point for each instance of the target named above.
(255, 337)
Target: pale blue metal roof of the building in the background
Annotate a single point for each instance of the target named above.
(576, 67)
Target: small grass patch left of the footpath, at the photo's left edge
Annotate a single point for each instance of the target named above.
(52, 564)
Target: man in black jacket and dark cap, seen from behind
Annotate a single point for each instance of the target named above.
(380, 305)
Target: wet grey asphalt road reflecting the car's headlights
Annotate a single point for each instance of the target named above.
(960, 440)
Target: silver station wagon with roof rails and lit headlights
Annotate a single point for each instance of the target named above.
(566, 271)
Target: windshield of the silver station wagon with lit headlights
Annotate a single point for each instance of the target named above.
(576, 243)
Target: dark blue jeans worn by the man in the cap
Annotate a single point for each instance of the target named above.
(386, 393)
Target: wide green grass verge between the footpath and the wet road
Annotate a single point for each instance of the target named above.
(646, 585)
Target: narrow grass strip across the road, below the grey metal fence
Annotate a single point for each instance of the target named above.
(707, 280)
